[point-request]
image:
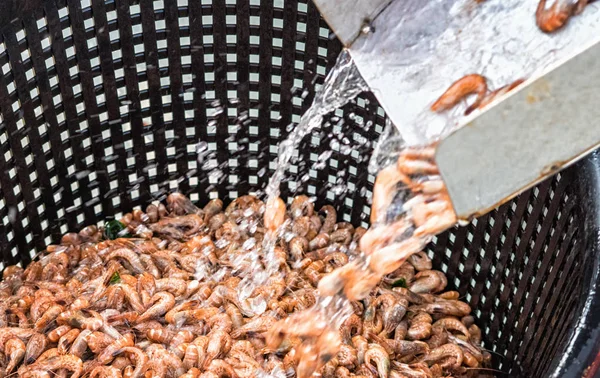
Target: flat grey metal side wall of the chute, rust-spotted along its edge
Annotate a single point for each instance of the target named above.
(546, 125)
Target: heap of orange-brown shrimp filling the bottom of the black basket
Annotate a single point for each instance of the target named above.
(133, 304)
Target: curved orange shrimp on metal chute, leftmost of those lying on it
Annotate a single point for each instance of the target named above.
(466, 85)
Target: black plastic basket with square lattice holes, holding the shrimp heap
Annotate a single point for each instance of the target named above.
(103, 105)
